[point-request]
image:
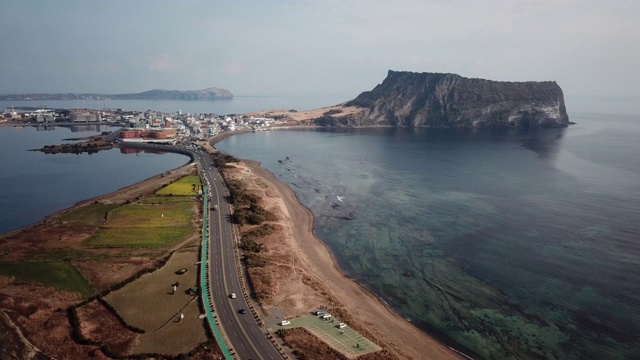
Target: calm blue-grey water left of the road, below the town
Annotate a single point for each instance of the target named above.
(34, 184)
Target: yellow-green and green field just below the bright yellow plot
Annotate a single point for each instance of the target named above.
(147, 226)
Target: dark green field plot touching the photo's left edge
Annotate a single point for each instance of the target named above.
(58, 274)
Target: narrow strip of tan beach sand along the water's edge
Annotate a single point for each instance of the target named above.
(388, 327)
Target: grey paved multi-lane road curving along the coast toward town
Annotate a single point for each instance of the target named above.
(246, 337)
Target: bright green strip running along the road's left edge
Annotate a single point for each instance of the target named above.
(204, 283)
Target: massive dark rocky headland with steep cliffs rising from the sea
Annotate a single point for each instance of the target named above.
(449, 100)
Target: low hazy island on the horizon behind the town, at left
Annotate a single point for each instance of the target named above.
(212, 93)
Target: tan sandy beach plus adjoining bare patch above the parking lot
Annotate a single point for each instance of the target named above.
(312, 257)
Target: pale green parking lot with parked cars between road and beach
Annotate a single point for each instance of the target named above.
(346, 340)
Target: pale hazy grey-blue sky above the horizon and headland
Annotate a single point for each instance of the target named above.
(314, 47)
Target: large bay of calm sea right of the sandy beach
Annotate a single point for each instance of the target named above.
(505, 243)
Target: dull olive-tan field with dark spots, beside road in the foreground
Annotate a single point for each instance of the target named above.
(149, 303)
